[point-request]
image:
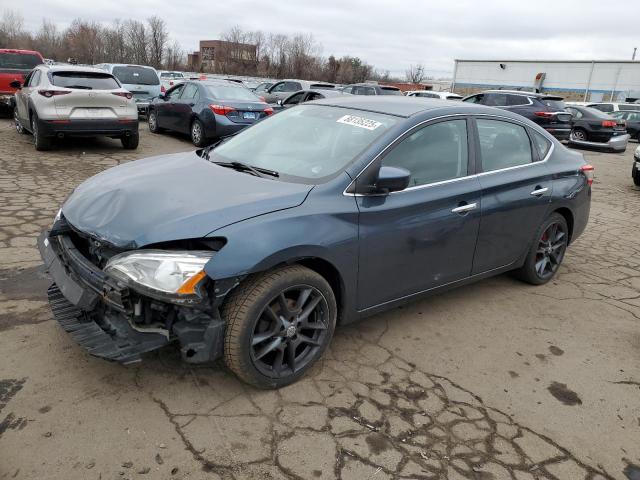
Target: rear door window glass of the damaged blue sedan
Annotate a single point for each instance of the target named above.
(503, 145)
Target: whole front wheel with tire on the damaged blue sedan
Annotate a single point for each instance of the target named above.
(267, 331)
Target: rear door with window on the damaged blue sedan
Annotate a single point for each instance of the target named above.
(516, 191)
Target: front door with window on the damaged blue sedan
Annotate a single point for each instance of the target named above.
(424, 236)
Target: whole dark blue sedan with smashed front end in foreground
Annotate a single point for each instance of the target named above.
(326, 213)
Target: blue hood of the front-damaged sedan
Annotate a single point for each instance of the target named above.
(172, 197)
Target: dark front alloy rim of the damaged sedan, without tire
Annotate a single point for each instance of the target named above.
(289, 331)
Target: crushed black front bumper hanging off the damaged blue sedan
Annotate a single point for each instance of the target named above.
(91, 307)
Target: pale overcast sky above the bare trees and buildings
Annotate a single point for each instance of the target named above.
(390, 35)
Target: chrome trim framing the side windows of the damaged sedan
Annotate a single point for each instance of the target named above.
(457, 179)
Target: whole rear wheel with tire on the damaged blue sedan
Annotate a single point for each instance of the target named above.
(553, 249)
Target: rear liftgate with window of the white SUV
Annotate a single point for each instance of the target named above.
(91, 96)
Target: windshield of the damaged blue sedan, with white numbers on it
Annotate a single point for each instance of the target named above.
(307, 142)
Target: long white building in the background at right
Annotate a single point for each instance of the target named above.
(584, 80)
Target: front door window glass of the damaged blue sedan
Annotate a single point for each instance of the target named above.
(434, 153)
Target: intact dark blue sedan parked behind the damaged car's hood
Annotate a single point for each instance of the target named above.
(206, 110)
